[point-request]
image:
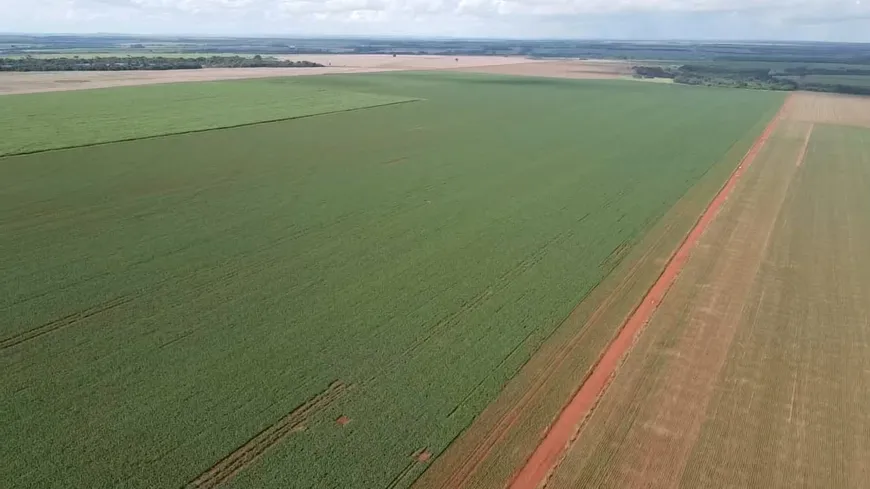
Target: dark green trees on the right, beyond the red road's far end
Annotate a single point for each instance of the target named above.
(764, 75)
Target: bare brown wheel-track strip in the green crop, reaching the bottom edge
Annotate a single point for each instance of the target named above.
(248, 453)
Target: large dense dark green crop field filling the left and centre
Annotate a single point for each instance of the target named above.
(168, 299)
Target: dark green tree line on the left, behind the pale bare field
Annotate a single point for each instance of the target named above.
(130, 63)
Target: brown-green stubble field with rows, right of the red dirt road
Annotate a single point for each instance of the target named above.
(755, 370)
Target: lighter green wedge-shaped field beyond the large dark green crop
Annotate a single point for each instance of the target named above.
(39, 122)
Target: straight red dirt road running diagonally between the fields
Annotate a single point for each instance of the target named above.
(566, 427)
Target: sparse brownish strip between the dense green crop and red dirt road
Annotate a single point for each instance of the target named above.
(503, 438)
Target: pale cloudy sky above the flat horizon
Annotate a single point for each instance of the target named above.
(823, 20)
